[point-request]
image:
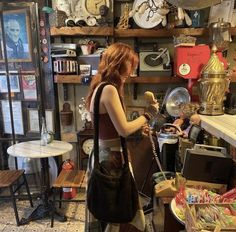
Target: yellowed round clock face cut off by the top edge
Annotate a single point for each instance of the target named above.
(92, 6)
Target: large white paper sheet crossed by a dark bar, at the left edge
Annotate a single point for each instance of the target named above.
(17, 115)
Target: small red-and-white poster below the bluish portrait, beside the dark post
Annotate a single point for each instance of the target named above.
(29, 86)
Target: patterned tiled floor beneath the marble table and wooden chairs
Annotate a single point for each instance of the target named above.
(75, 213)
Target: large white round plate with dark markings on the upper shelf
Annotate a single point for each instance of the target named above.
(141, 19)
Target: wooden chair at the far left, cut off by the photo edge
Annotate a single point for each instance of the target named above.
(14, 180)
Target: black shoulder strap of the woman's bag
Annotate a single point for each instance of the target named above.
(96, 128)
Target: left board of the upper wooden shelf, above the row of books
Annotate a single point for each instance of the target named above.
(76, 31)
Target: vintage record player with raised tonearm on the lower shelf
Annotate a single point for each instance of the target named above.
(155, 63)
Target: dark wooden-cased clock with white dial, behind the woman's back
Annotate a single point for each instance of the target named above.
(85, 141)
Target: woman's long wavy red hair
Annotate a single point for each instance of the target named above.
(113, 68)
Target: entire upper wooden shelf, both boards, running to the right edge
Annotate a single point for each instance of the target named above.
(126, 33)
